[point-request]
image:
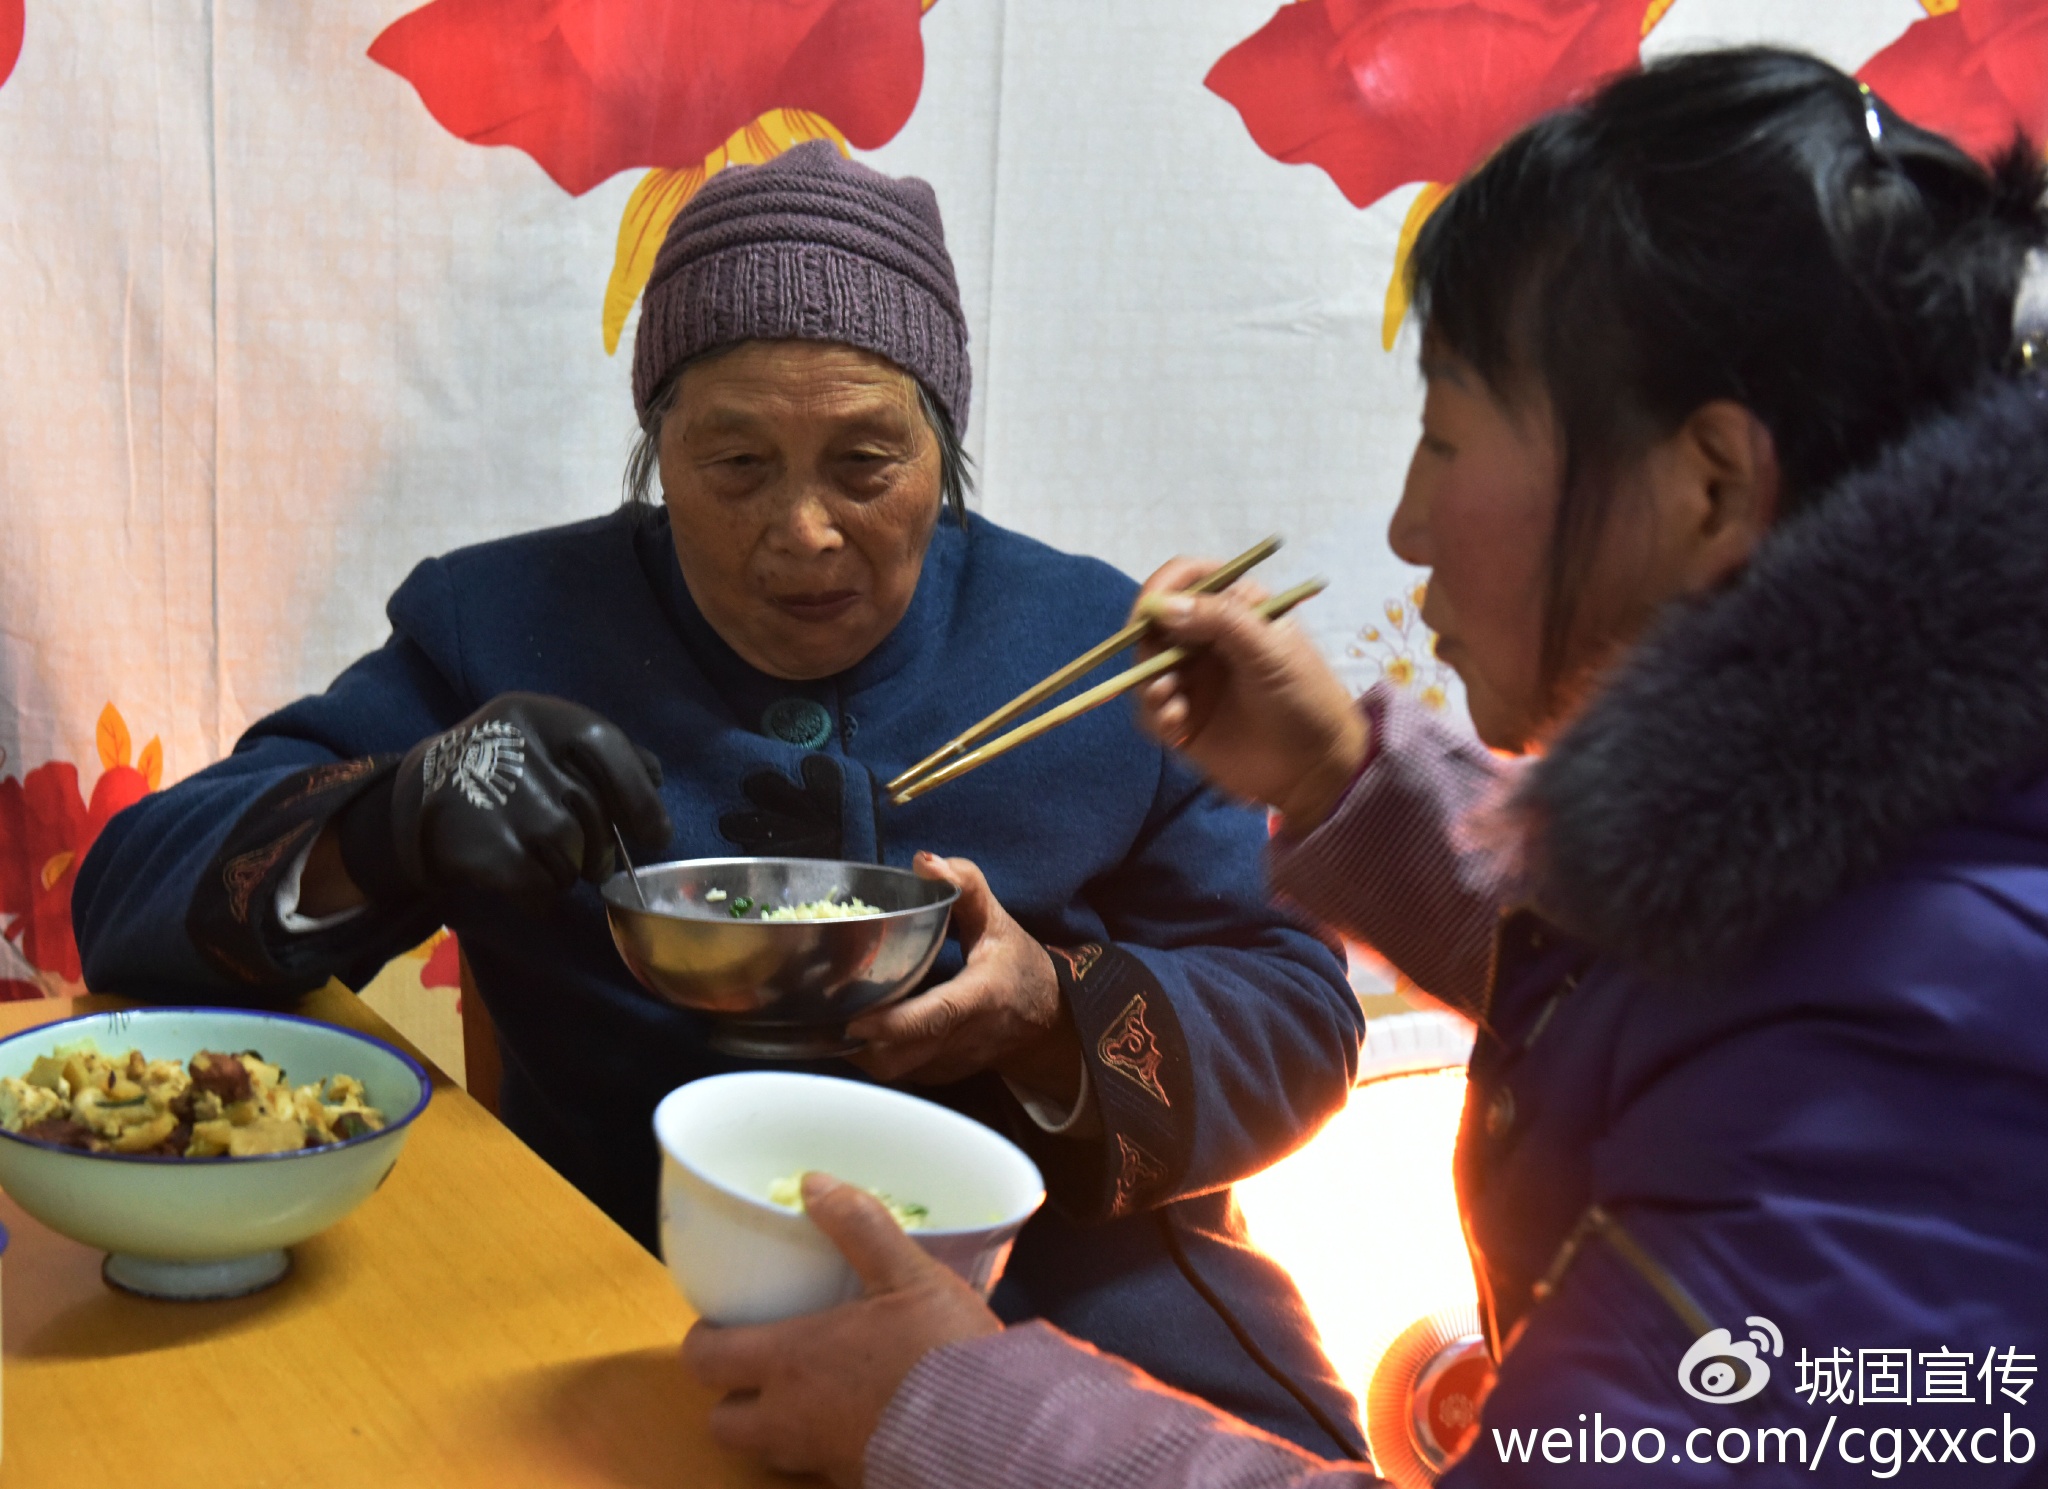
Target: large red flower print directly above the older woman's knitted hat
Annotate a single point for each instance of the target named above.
(597, 87)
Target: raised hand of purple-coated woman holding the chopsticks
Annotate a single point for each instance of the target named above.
(1256, 710)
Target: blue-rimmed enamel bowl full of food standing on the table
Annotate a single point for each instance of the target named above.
(210, 1228)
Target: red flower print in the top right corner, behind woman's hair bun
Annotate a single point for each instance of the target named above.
(1977, 75)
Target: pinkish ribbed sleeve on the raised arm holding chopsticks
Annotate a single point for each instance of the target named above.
(1392, 865)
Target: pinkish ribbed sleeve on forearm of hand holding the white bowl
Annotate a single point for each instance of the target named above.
(1031, 1408)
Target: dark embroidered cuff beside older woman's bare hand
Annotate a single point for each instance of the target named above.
(1142, 1080)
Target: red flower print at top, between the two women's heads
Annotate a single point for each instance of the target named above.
(1381, 93)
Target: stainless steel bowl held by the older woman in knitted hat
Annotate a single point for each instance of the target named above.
(777, 990)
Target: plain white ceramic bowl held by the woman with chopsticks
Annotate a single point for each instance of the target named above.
(740, 1259)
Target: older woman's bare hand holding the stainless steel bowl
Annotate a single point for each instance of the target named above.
(1000, 1013)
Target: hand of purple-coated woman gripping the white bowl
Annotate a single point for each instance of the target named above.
(808, 1394)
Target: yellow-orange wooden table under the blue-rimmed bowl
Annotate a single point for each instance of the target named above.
(476, 1322)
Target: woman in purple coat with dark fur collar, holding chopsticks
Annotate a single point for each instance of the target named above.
(1736, 493)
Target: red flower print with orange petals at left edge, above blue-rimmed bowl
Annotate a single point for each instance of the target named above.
(46, 828)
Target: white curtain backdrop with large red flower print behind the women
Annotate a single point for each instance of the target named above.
(296, 296)
